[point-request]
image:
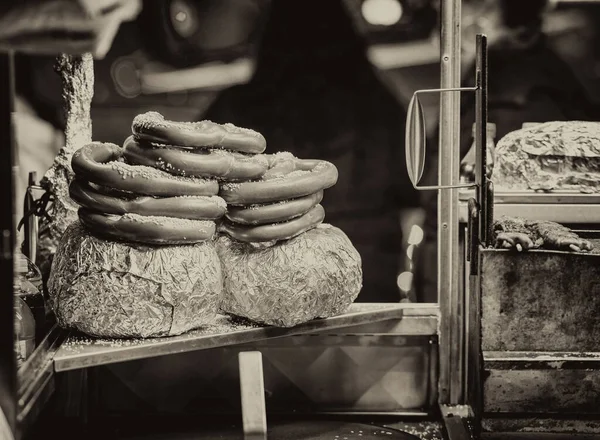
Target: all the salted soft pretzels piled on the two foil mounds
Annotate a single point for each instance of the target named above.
(136, 193)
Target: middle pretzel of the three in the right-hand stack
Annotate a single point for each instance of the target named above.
(274, 212)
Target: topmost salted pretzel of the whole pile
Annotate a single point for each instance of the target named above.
(153, 127)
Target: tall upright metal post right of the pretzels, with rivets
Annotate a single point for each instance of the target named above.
(449, 295)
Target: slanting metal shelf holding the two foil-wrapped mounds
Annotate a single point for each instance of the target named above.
(82, 352)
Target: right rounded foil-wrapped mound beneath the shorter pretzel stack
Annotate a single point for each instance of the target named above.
(315, 275)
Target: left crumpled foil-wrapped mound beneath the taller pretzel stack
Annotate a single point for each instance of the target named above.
(111, 289)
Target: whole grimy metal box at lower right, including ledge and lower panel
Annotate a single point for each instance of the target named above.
(540, 326)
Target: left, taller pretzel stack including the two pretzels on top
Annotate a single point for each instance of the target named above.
(161, 187)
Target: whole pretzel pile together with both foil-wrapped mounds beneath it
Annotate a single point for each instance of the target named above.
(179, 183)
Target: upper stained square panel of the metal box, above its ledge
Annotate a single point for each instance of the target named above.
(540, 300)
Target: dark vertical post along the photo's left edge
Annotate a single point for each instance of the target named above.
(8, 367)
